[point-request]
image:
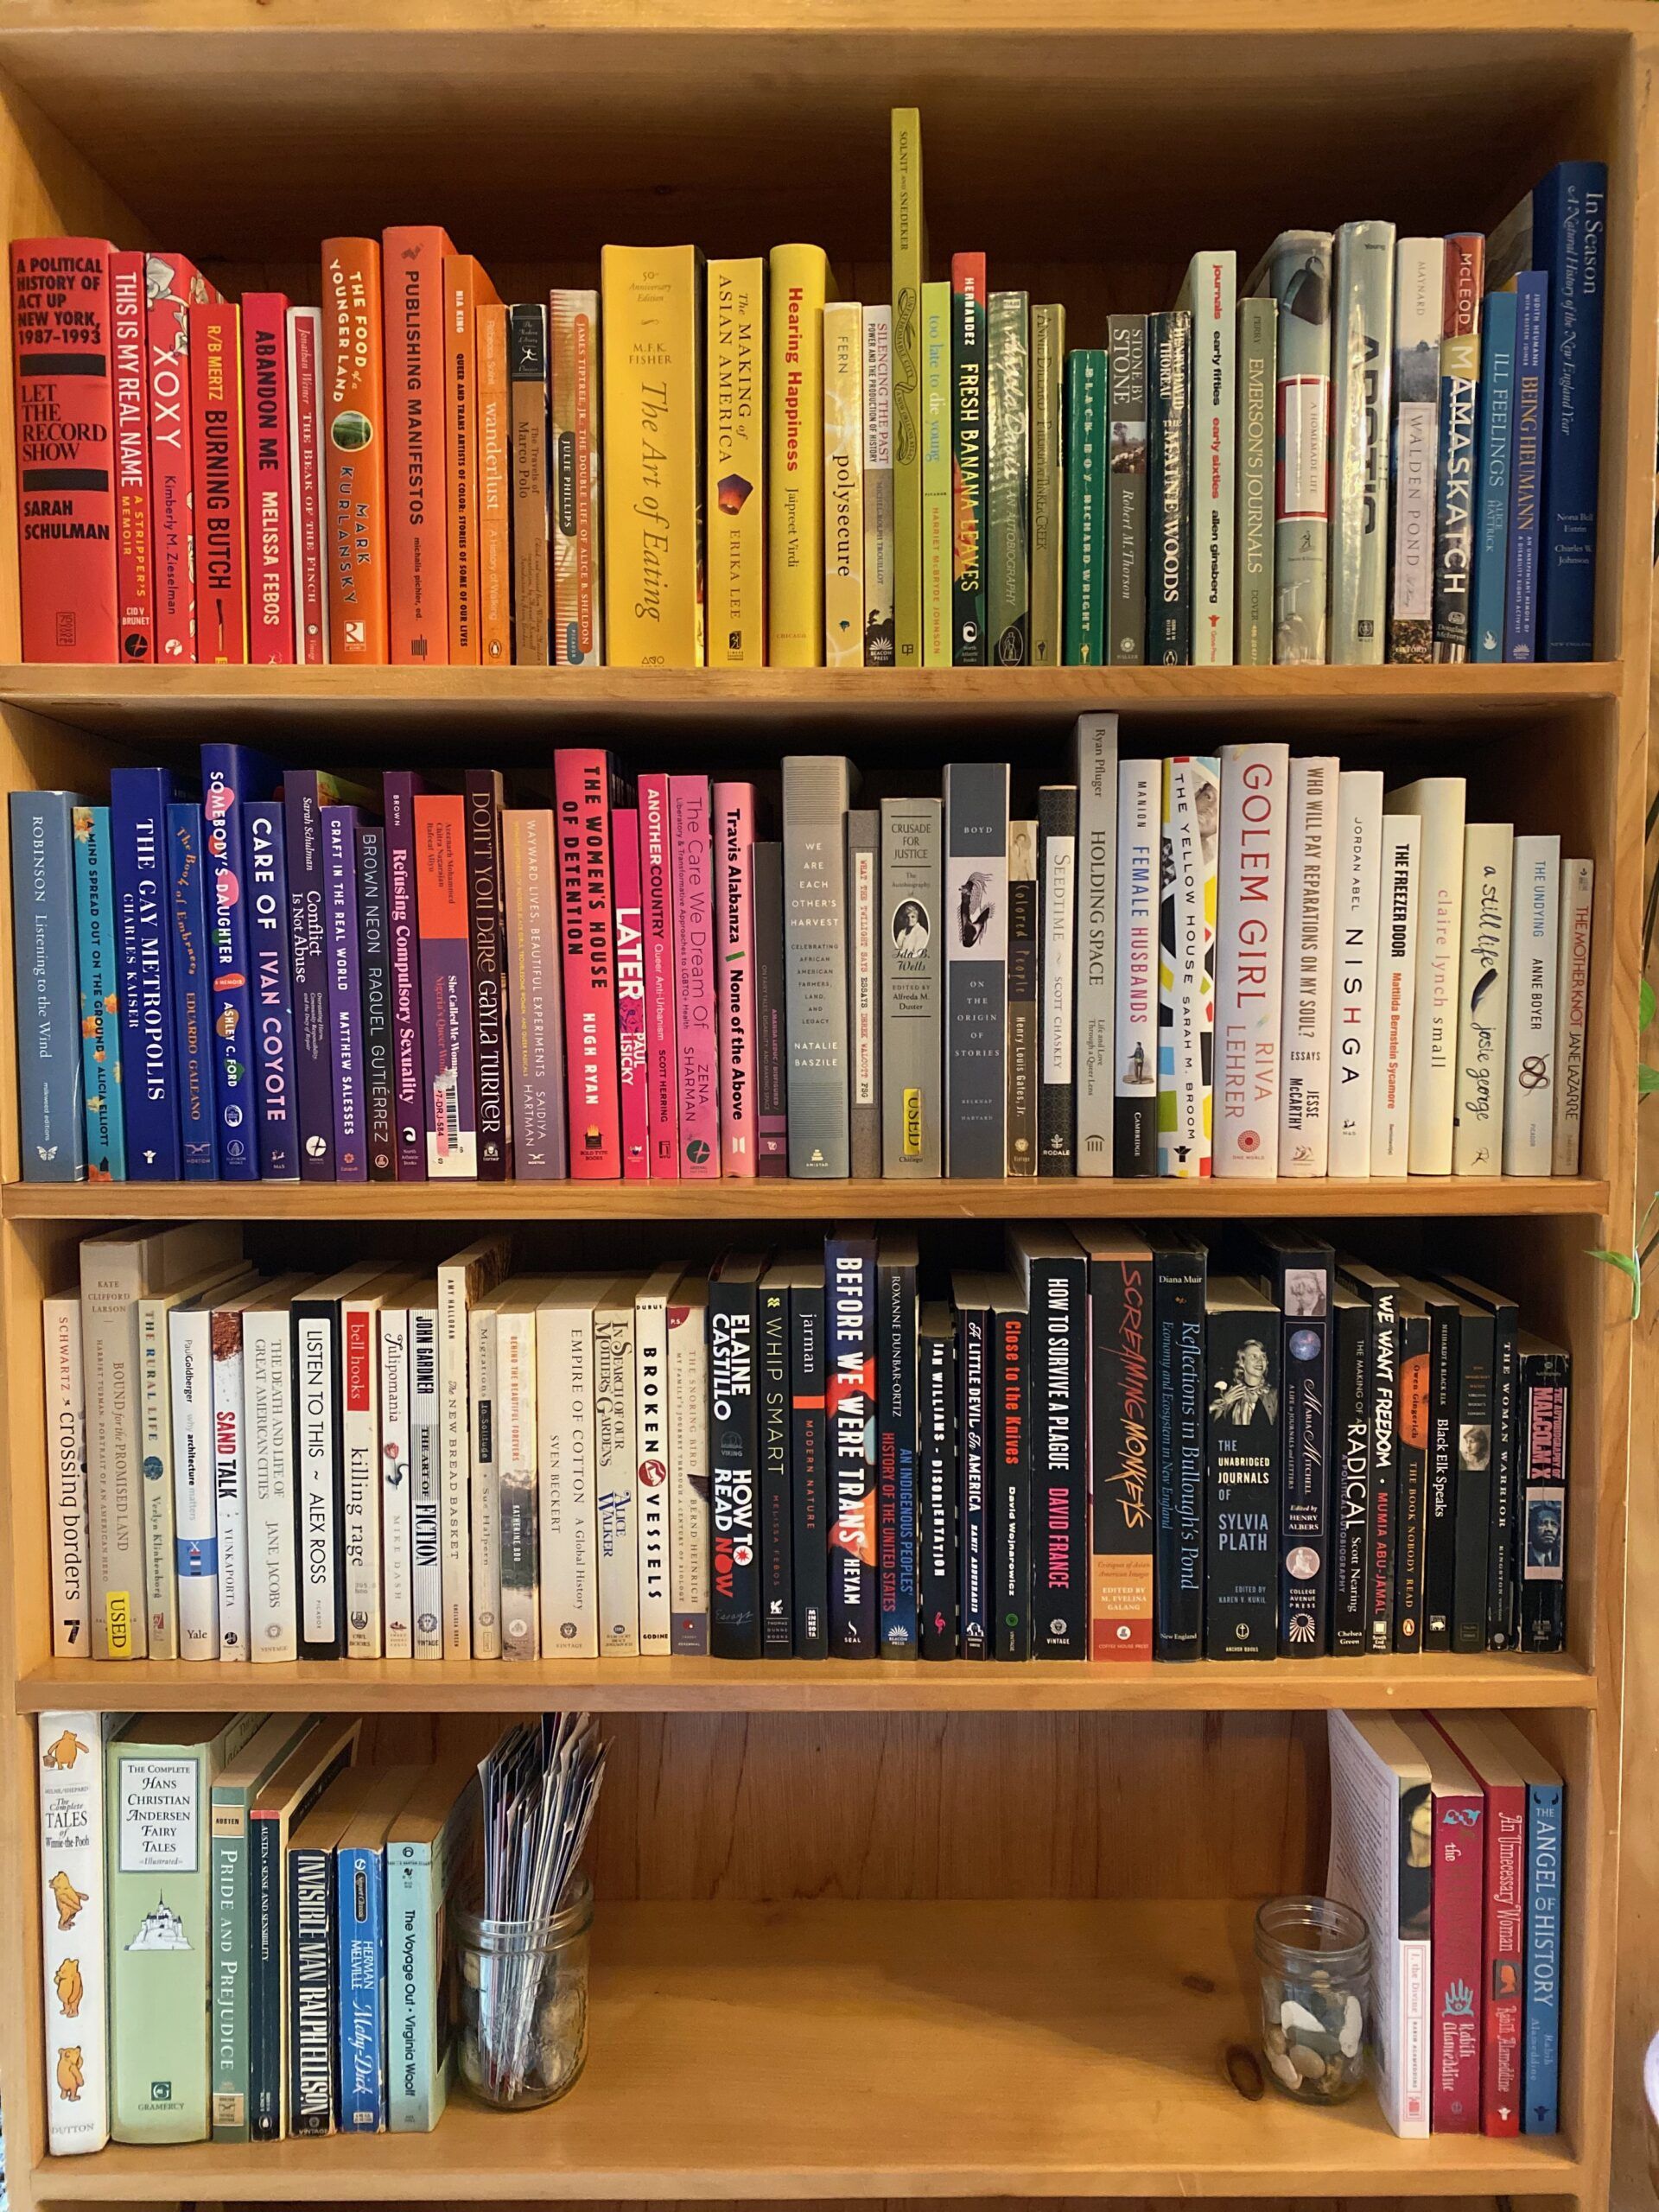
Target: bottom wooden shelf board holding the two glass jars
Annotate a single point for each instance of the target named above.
(873, 2049)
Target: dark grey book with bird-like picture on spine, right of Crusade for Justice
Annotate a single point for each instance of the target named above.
(977, 966)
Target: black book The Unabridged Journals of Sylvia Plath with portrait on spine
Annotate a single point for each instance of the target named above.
(1244, 1437)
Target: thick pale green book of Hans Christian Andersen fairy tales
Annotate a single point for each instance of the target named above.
(158, 1855)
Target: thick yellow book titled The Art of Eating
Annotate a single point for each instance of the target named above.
(654, 570)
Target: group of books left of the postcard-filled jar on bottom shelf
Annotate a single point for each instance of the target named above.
(242, 1928)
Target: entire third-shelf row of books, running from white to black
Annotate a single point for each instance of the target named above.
(1109, 1448)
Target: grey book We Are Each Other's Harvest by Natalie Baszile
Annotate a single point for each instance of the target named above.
(817, 791)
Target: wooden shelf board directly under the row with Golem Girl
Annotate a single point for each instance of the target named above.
(784, 1200)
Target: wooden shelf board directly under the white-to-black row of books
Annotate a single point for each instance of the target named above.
(1512, 1682)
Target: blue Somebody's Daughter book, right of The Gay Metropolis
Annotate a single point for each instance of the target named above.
(233, 775)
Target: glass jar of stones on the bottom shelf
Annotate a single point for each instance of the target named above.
(1315, 1981)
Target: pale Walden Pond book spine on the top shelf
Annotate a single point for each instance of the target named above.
(1419, 286)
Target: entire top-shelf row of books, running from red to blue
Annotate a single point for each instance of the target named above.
(729, 466)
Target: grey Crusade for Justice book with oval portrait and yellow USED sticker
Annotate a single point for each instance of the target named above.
(912, 997)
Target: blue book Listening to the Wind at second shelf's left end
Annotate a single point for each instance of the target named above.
(52, 1127)
